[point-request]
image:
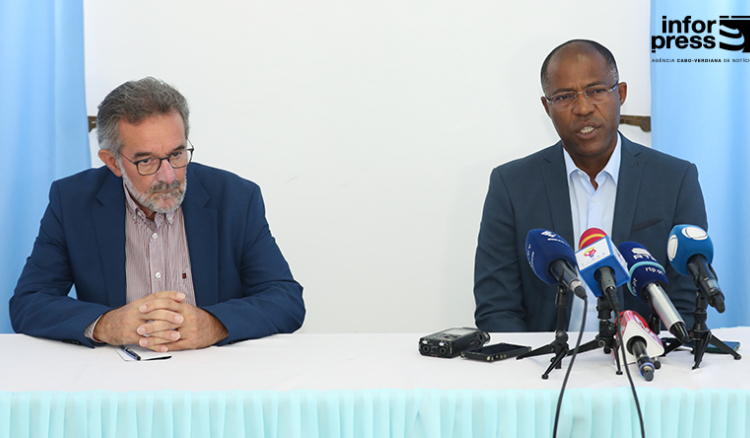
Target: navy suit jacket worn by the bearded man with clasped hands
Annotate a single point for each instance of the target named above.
(239, 273)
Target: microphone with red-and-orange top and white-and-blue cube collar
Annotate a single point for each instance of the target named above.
(601, 265)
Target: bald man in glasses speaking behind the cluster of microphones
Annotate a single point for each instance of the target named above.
(593, 177)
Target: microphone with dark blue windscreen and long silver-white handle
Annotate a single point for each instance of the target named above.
(647, 282)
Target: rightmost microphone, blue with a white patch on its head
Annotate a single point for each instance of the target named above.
(691, 252)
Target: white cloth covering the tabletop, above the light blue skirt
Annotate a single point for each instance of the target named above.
(342, 362)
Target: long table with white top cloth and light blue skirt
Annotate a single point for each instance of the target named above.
(359, 385)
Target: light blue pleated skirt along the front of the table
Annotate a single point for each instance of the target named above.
(599, 413)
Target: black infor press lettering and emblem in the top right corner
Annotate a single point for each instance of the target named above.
(731, 32)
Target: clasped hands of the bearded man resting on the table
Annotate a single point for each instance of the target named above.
(161, 321)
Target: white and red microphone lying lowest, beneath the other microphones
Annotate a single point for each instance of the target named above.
(641, 344)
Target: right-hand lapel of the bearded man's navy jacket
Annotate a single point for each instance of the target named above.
(201, 229)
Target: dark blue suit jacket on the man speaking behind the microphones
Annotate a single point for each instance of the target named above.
(655, 192)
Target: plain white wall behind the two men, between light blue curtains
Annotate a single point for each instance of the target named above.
(371, 128)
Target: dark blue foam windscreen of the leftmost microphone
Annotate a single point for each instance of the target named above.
(544, 247)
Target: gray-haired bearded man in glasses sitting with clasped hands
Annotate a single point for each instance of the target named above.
(153, 263)
